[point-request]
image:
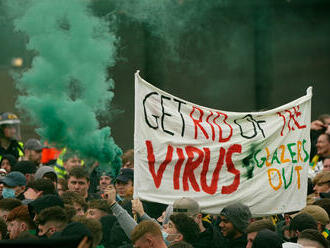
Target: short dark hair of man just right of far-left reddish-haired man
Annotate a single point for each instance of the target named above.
(56, 214)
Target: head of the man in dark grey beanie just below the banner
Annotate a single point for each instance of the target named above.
(234, 220)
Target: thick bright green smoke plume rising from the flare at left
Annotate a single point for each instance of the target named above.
(67, 86)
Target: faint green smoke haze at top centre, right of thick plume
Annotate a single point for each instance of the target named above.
(172, 21)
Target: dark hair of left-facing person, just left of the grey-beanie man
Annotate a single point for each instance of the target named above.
(186, 226)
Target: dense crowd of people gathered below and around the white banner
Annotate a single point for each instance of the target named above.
(63, 200)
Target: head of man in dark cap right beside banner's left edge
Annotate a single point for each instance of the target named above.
(124, 182)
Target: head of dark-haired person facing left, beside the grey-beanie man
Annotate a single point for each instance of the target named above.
(181, 227)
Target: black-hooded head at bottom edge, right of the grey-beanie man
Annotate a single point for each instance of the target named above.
(267, 239)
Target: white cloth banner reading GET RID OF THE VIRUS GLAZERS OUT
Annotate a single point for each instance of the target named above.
(218, 157)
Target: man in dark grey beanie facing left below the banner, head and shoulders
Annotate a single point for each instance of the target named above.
(234, 219)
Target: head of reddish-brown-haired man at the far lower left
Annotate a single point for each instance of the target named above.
(19, 221)
